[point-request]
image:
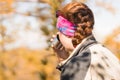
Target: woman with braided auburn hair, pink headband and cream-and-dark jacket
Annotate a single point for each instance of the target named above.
(81, 56)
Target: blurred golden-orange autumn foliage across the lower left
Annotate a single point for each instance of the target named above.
(25, 64)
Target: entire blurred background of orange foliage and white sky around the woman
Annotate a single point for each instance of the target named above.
(27, 25)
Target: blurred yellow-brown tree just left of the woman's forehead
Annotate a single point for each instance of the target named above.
(53, 6)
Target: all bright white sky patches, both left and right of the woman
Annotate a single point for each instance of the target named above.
(105, 22)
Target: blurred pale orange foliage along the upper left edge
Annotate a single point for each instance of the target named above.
(5, 9)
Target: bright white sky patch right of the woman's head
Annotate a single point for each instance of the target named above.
(105, 22)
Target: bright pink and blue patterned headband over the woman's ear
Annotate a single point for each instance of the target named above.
(66, 27)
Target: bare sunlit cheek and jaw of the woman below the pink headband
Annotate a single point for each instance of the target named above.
(66, 41)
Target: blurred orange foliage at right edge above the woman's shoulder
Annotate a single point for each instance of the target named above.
(113, 42)
